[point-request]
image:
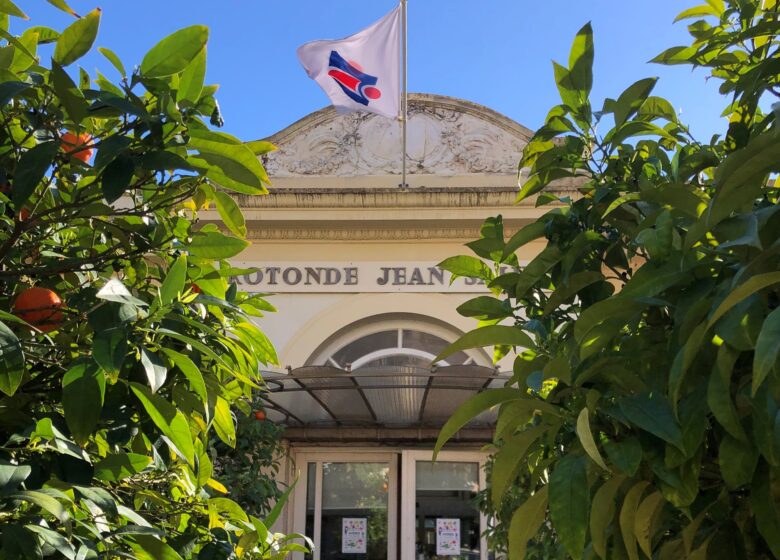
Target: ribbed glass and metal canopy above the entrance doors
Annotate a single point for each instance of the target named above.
(387, 397)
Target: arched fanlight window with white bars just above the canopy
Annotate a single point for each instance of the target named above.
(378, 343)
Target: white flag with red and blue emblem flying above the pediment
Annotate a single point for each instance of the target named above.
(361, 72)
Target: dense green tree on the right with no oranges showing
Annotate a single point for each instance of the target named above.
(644, 411)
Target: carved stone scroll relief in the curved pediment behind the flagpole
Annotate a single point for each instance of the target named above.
(443, 139)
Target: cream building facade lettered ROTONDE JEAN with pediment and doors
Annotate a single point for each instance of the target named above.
(351, 257)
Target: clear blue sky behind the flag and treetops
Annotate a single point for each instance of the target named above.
(494, 52)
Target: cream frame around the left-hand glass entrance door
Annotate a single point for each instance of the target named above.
(303, 457)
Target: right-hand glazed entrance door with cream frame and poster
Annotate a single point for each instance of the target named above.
(439, 516)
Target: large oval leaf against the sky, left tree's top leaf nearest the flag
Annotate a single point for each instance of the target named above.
(174, 53)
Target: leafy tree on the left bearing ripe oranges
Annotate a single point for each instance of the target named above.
(123, 344)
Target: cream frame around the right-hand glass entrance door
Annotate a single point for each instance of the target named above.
(409, 492)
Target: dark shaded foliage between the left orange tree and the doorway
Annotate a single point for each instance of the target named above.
(251, 467)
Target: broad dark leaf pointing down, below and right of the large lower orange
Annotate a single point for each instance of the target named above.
(83, 392)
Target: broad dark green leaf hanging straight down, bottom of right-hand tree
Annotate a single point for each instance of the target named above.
(570, 503)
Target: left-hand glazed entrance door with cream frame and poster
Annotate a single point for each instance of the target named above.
(349, 505)
